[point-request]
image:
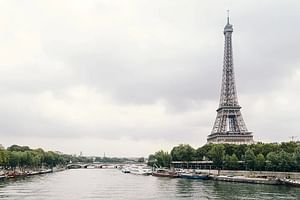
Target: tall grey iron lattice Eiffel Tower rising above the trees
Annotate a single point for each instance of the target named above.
(229, 126)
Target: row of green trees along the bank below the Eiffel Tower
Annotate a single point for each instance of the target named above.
(270, 156)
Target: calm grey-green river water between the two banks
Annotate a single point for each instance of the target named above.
(113, 184)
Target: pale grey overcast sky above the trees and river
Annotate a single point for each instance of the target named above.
(130, 77)
